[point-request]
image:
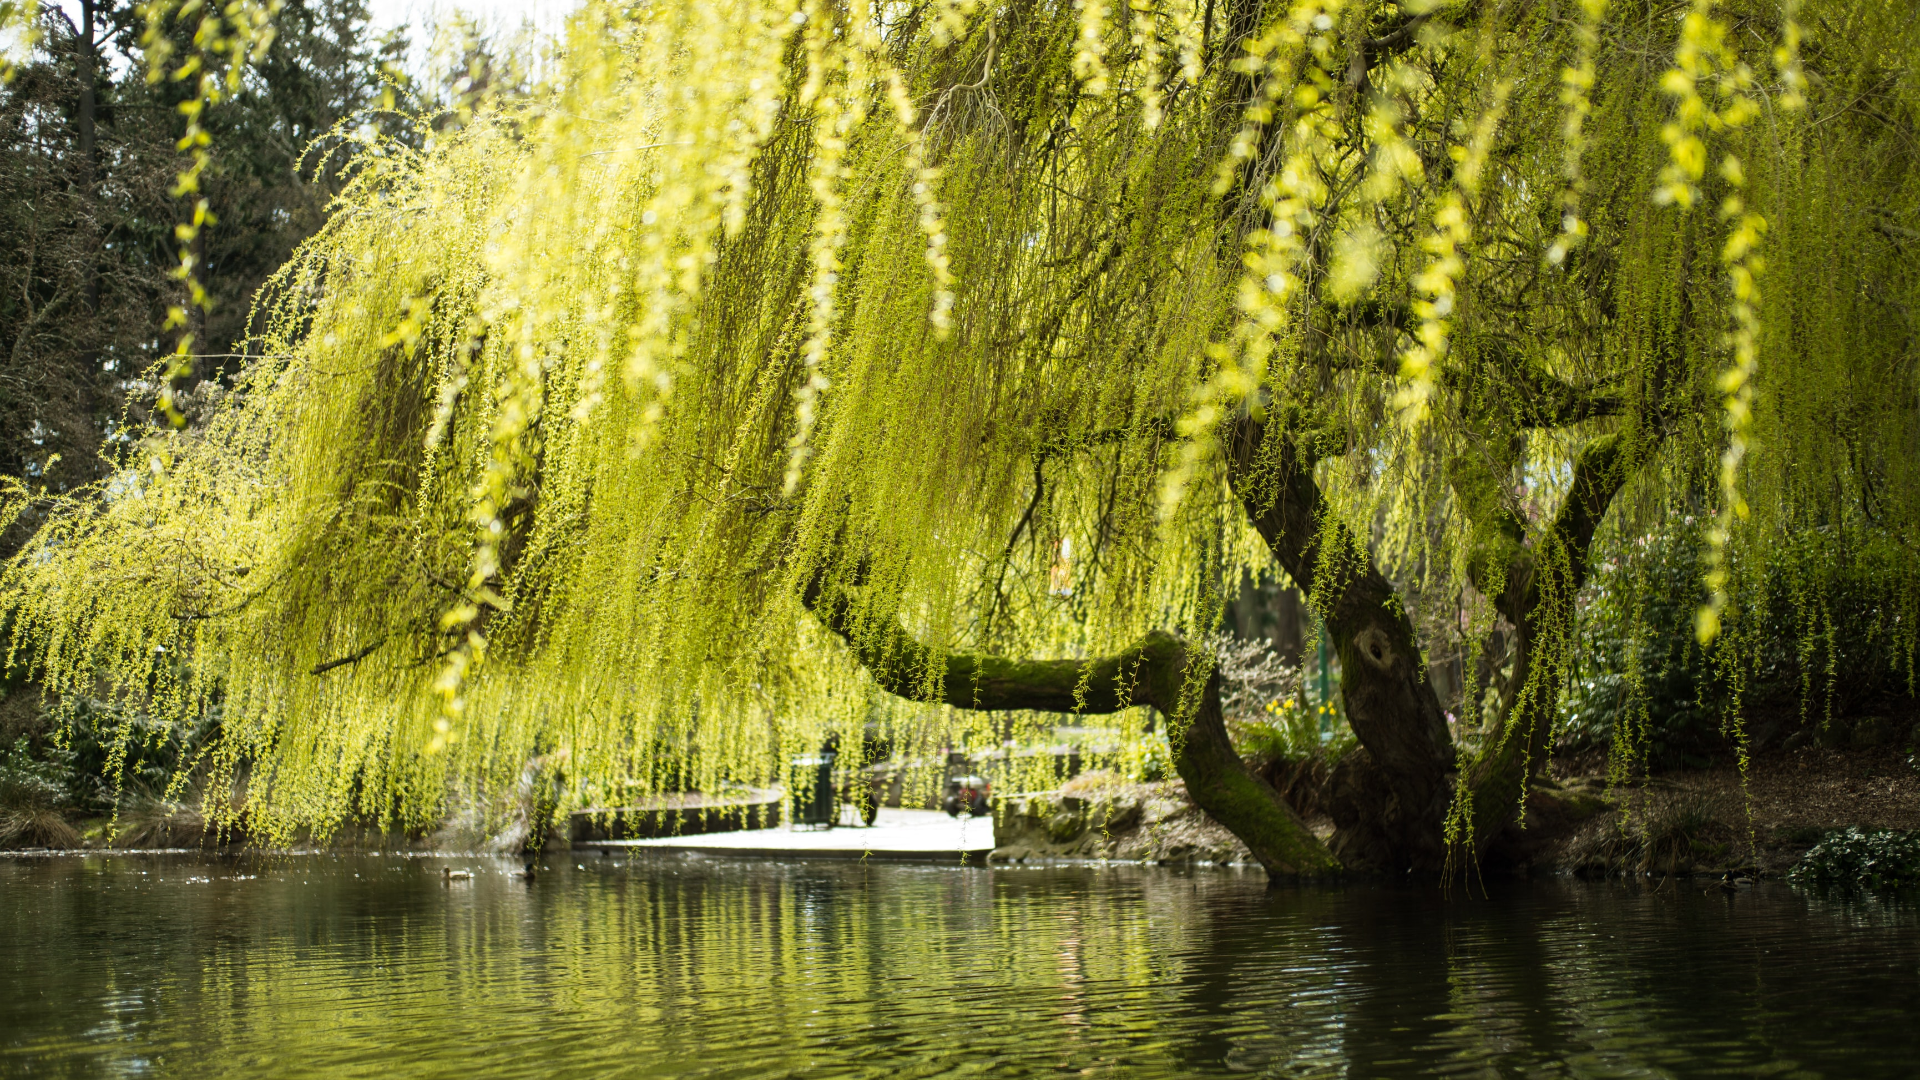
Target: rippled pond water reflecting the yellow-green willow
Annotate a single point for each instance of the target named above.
(683, 968)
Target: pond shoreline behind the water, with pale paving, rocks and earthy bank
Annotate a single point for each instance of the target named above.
(1677, 823)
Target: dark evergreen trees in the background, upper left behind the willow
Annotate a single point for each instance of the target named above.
(89, 160)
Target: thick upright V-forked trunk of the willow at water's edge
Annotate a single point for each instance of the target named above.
(1391, 800)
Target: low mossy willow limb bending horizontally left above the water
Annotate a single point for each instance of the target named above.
(1155, 672)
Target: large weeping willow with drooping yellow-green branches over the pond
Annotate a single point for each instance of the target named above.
(771, 355)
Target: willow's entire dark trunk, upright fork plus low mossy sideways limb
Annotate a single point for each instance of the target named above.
(1391, 798)
